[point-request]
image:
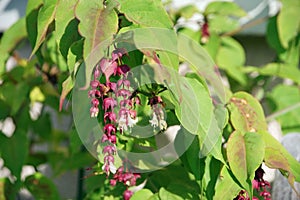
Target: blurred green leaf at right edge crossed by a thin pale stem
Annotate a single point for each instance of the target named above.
(284, 96)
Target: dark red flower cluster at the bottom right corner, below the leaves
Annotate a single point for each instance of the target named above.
(260, 185)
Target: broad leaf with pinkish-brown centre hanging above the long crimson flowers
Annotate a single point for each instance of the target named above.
(97, 24)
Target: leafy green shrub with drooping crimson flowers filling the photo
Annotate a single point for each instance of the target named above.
(115, 66)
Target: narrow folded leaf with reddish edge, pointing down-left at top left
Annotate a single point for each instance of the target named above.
(45, 18)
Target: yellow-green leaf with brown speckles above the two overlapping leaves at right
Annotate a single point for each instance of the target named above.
(246, 113)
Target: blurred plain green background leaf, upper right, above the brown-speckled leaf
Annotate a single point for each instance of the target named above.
(231, 58)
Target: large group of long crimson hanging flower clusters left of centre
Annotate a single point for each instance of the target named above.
(119, 114)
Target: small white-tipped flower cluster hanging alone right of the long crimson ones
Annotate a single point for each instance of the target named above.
(158, 115)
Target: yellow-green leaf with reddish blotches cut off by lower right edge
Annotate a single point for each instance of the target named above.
(276, 156)
